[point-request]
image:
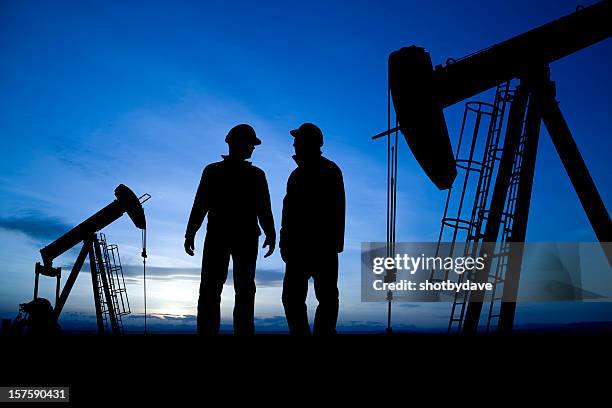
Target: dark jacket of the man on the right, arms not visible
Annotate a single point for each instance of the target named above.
(314, 207)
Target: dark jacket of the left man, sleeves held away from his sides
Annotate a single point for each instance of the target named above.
(235, 195)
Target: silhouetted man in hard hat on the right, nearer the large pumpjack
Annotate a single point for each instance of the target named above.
(312, 234)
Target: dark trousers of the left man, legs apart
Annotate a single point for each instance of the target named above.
(215, 263)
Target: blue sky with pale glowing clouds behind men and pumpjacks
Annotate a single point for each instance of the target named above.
(93, 94)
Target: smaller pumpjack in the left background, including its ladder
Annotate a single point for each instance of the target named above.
(39, 316)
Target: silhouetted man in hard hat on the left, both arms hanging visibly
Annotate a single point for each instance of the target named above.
(235, 195)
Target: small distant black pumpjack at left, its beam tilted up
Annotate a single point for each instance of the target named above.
(42, 316)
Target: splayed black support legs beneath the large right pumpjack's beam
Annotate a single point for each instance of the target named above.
(544, 107)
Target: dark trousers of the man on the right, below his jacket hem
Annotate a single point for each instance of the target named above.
(323, 268)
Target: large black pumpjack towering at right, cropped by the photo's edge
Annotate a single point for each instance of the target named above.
(420, 93)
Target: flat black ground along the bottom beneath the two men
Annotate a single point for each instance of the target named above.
(378, 368)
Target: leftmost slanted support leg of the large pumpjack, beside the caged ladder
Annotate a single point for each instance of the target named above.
(498, 201)
